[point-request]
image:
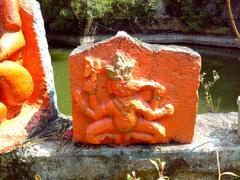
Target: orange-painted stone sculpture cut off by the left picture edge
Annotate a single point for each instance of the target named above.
(24, 93)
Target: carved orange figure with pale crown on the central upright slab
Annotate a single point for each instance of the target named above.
(133, 112)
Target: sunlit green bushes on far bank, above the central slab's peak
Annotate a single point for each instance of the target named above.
(83, 16)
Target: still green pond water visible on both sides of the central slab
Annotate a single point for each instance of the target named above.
(224, 92)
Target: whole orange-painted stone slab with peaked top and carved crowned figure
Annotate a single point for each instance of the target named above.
(124, 92)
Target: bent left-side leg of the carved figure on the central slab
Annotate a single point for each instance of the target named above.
(100, 130)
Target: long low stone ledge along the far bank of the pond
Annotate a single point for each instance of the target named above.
(207, 40)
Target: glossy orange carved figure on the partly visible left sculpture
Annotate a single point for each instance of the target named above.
(16, 84)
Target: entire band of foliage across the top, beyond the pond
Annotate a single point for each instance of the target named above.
(92, 16)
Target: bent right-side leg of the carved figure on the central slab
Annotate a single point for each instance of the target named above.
(147, 131)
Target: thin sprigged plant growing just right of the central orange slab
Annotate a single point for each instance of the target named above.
(207, 86)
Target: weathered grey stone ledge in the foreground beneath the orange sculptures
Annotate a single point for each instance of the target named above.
(214, 132)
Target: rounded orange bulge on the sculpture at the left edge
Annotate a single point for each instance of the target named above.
(16, 83)
